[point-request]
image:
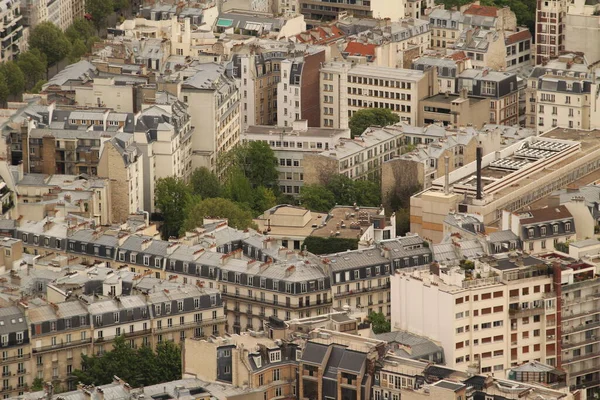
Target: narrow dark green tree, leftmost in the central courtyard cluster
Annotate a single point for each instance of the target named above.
(171, 197)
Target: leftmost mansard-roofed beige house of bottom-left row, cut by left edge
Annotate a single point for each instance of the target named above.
(16, 351)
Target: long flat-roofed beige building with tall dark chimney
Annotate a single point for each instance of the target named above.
(499, 173)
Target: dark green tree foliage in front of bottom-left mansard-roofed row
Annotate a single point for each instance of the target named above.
(151, 367)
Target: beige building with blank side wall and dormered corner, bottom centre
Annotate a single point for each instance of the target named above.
(250, 360)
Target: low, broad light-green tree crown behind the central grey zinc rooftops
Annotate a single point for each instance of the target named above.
(217, 208)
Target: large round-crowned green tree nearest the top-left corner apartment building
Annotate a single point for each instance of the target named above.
(51, 41)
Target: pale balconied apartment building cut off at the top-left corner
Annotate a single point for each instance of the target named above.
(11, 25)
